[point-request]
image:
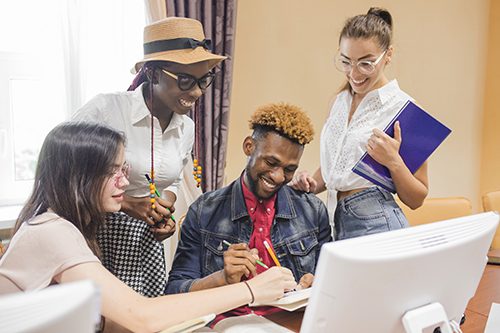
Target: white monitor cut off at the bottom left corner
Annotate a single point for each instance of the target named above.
(72, 307)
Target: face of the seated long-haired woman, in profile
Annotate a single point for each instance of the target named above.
(113, 189)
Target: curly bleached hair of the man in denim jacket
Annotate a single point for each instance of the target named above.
(286, 119)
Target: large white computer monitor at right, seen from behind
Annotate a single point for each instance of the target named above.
(368, 284)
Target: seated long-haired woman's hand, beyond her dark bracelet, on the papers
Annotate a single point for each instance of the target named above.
(271, 284)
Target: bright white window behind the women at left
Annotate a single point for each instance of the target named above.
(54, 56)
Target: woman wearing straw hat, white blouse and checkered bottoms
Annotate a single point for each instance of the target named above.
(174, 73)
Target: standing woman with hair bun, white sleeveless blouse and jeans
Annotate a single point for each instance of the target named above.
(363, 107)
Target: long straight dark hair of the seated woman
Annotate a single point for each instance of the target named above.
(75, 161)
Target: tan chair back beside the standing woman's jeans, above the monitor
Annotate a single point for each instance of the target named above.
(437, 209)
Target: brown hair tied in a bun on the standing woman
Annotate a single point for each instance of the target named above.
(377, 23)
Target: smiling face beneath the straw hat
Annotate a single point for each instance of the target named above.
(168, 96)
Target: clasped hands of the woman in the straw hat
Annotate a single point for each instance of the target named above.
(158, 218)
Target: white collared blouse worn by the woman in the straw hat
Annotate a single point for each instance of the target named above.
(127, 112)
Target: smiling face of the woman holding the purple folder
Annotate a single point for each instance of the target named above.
(364, 49)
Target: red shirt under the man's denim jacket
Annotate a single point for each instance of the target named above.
(262, 215)
